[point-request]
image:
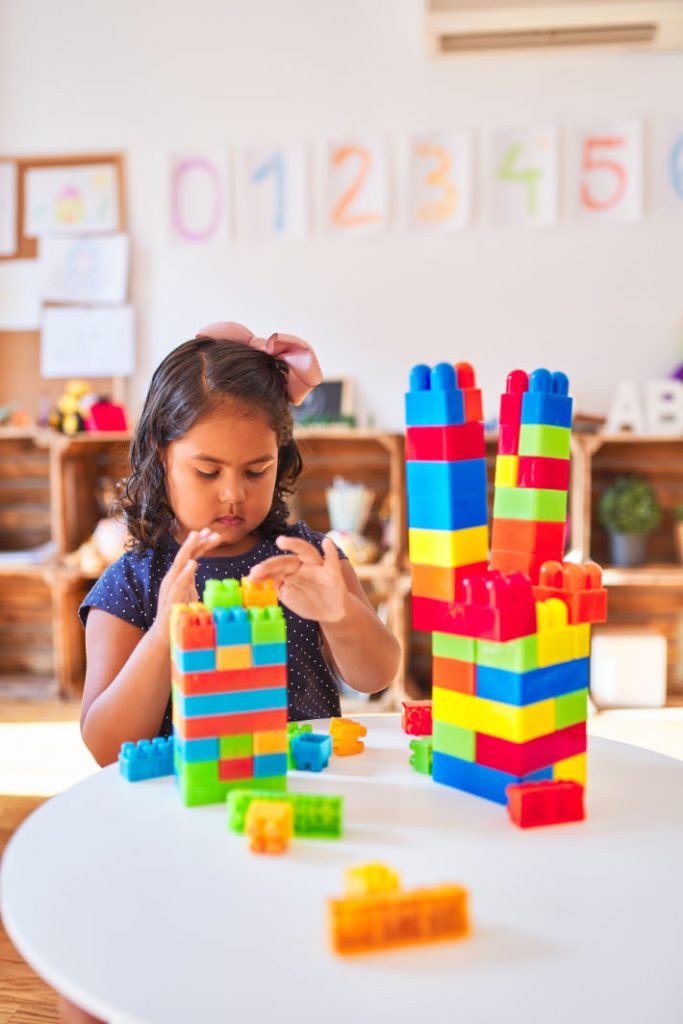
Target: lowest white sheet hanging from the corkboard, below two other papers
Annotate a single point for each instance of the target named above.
(81, 343)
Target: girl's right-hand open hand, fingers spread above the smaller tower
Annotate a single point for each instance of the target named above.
(310, 584)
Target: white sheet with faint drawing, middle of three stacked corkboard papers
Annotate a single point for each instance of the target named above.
(88, 270)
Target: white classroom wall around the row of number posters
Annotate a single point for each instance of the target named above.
(154, 77)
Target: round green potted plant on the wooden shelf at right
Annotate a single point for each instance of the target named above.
(629, 511)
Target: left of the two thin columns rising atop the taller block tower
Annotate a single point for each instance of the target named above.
(447, 487)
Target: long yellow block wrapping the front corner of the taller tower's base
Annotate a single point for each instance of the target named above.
(496, 719)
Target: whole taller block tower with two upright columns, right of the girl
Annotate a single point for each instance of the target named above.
(510, 643)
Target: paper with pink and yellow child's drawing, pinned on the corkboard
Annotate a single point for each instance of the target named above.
(71, 200)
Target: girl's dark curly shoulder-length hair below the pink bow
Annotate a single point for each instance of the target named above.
(193, 381)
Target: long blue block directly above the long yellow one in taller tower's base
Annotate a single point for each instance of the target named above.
(522, 689)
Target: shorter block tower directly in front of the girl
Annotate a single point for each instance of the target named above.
(230, 692)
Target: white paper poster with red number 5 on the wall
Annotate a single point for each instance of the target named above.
(609, 183)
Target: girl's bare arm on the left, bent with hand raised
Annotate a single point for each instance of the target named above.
(129, 676)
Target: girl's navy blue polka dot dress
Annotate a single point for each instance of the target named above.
(130, 590)
